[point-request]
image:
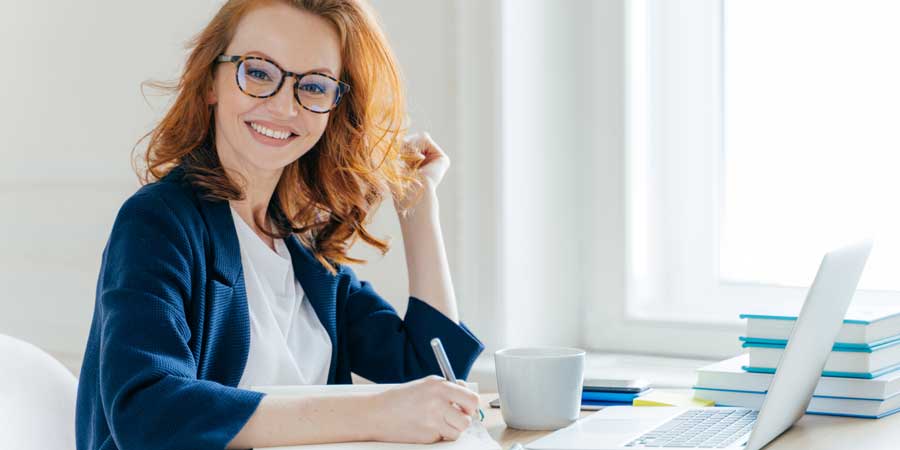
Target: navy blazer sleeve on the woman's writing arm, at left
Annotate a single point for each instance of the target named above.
(148, 386)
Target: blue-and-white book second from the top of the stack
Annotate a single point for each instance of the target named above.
(842, 362)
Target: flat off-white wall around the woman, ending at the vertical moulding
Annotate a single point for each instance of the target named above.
(73, 109)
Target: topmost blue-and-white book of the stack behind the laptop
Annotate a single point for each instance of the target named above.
(863, 325)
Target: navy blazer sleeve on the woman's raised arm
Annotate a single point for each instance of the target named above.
(387, 349)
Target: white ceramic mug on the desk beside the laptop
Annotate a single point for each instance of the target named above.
(540, 387)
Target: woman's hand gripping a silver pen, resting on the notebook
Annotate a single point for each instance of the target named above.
(423, 411)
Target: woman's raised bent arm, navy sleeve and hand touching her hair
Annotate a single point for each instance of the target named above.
(382, 347)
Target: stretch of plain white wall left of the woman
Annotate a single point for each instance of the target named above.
(72, 112)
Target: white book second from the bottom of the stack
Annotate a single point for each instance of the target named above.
(729, 375)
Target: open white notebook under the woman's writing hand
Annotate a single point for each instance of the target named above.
(475, 437)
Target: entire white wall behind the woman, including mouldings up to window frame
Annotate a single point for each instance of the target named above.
(532, 209)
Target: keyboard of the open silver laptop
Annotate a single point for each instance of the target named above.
(704, 428)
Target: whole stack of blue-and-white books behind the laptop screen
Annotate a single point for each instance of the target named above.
(861, 377)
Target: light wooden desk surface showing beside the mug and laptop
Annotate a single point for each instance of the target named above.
(811, 432)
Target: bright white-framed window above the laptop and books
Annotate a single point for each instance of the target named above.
(761, 134)
